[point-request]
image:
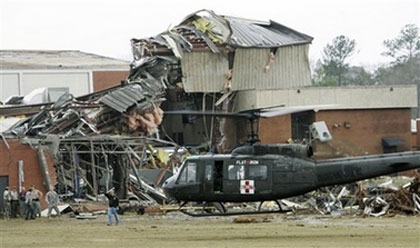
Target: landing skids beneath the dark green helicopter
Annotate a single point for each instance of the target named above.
(218, 209)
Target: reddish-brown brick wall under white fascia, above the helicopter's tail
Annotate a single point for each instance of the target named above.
(358, 132)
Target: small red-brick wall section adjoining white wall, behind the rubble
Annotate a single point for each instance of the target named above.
(106, 79)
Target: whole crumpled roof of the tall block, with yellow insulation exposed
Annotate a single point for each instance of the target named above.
(205, 30)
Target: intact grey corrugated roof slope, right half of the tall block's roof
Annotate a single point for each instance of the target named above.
(247, 33)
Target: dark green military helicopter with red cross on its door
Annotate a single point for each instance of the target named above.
(259, 173)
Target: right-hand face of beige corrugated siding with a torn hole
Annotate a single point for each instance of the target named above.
(290, 68)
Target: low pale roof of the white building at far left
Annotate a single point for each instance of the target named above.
(57, 59)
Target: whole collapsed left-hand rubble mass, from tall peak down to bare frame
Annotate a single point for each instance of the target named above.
(103, 140)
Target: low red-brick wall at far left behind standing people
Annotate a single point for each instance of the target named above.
(32, 172)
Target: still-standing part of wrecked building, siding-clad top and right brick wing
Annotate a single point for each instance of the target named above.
(224, 63)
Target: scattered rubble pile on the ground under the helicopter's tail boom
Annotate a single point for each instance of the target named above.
(365, 198)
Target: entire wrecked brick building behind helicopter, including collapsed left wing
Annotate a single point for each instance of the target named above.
(208, 62)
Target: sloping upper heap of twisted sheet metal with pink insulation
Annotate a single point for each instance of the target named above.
(130, 109)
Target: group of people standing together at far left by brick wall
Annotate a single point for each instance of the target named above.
(27, 204)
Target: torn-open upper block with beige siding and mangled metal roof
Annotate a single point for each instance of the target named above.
(211, 53)
